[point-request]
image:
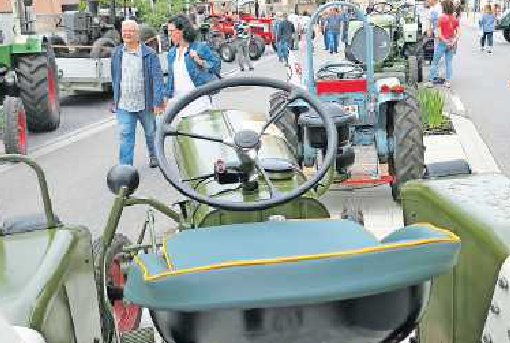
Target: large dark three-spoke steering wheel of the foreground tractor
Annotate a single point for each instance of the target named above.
(246, 143)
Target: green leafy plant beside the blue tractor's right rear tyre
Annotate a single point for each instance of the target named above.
(432, 104)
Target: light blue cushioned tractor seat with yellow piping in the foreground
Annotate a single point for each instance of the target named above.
(285, 263)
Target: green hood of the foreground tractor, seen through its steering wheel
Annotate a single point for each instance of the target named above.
(197, 157)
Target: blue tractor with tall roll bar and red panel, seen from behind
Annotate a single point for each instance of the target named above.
(381, 114)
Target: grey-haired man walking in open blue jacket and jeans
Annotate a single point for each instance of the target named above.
(138, 91)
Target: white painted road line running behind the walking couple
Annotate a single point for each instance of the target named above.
(96, 127)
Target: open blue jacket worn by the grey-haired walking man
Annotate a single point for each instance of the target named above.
(153, 76)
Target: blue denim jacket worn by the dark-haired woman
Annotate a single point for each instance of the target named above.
(199, 75)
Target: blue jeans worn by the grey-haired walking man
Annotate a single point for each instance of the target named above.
(127, 132)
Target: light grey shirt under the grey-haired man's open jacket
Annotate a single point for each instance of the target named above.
(132, 88)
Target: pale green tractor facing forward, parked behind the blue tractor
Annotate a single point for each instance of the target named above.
(397, 40)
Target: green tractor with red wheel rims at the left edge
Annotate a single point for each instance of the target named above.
(29, 73)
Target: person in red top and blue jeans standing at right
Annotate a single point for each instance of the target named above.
(448, 33)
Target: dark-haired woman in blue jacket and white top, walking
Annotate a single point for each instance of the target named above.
(190, 64)
